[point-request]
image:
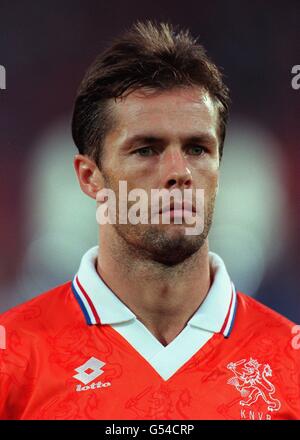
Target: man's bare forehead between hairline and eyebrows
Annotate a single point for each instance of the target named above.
(179, 109)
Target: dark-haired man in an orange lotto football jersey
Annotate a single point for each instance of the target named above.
(151, 327)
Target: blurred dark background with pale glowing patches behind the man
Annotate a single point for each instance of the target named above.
(47, 223)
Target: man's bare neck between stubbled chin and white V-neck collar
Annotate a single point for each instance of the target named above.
(162, 297)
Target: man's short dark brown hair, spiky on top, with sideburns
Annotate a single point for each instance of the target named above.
(149, 54)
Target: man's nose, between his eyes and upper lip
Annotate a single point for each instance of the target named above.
(175, 170)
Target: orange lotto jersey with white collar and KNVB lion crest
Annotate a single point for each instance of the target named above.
(77, 352)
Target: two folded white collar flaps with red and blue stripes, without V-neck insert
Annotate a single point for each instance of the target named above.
(101, 306)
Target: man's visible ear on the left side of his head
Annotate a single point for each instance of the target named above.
(89, 176)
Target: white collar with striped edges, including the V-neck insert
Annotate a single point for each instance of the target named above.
(101, 306)
